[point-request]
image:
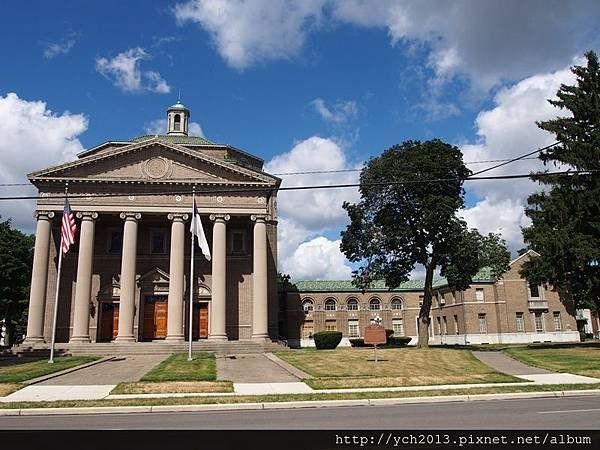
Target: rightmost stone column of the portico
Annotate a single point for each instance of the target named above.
(260, 311)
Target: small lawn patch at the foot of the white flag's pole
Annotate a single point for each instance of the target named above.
(178, 368)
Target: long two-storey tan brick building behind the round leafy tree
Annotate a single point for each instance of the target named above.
(507, 310)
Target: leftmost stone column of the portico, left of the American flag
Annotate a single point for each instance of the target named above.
(39, 278)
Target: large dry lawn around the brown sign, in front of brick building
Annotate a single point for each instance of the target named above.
(350, 368)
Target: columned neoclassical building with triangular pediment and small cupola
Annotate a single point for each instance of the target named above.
(127, 278)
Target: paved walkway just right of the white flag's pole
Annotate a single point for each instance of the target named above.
(252, 369)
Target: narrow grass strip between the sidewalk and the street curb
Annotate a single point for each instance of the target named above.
(293, 397)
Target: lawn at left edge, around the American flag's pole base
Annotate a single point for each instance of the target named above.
(24, 369)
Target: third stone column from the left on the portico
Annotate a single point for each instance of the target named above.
(128, 269)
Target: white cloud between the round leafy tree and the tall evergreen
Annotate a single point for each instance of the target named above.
(506, 131)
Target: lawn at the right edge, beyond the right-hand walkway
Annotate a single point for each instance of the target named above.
(581, 360)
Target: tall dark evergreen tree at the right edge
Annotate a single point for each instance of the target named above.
(565, 214)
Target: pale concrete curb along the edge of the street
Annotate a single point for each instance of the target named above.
(291, 405)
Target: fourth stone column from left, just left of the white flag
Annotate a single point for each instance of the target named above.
(176, 288)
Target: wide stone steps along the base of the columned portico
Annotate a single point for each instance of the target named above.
(151, 348)
